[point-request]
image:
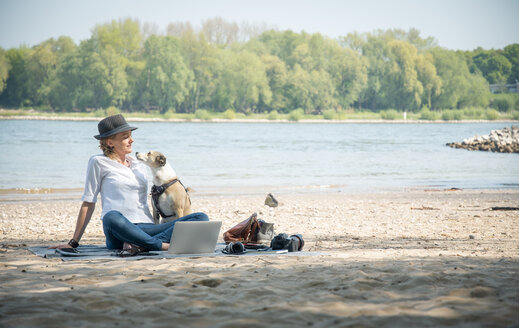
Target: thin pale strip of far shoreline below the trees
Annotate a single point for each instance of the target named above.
(219, 120)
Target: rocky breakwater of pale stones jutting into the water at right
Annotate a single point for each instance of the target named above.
(505, 140)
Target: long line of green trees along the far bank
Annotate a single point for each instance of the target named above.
(223, 66)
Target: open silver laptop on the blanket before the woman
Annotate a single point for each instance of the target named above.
(197, 237)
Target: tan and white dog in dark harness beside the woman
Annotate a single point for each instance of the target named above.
(169, 196)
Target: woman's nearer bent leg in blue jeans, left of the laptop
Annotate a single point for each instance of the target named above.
(118, 230)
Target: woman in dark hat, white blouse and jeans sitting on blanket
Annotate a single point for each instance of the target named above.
(122, 182)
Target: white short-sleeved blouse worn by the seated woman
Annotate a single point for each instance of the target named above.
(124, 189)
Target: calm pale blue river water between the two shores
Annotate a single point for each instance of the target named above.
(266, 157)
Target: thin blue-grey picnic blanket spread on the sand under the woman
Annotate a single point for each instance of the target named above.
(96, 252)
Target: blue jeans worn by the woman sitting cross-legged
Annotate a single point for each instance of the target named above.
(118, 230)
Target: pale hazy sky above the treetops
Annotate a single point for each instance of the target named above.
(455, 24)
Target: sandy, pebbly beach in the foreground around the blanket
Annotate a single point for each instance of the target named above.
(417, 258)
